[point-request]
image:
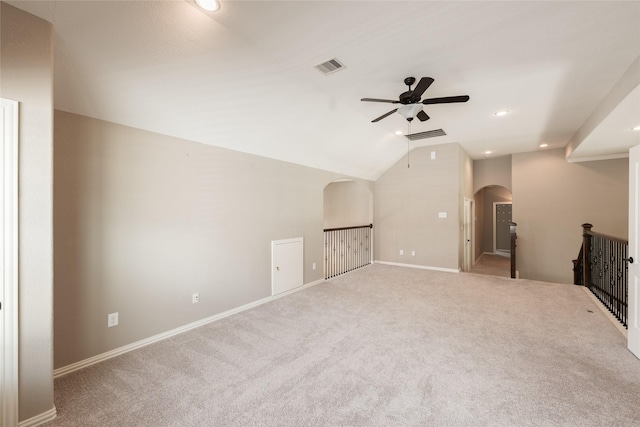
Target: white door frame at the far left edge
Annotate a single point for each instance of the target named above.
(9, 123)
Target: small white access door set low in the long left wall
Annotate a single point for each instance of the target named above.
(287, 264)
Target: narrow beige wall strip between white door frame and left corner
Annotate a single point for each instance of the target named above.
(26, 76)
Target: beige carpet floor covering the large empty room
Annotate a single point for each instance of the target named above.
(382, 346)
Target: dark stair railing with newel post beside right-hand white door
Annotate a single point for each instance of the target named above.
(602, 266)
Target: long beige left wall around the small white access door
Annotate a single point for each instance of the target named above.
(144, 220)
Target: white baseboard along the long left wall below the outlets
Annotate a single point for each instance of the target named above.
(159, 337)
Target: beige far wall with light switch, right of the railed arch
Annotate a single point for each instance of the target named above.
(406, 206)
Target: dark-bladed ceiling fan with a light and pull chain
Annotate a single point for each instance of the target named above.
(411, 104)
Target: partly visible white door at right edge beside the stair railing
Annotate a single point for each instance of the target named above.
(634, 252)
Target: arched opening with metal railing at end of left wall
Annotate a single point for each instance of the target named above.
(348, 227)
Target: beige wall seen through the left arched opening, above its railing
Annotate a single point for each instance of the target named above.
(348, 203)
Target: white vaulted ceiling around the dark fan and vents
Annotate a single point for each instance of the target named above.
(244, 77)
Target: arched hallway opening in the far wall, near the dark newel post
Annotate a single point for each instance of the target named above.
(492, 238)
